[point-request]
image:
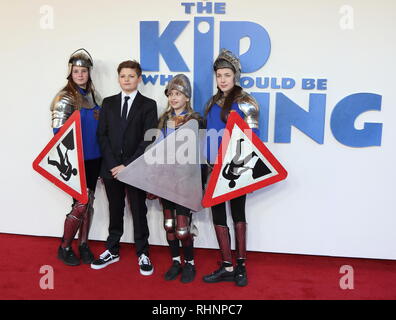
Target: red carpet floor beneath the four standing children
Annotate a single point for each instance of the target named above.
(271, 276)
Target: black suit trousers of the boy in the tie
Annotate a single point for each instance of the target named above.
(116, 191)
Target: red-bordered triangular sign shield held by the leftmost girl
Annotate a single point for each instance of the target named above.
(62, 162)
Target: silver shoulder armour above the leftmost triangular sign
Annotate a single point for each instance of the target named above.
(62, 107)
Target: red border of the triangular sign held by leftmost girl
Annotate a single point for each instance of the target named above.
(82, 197)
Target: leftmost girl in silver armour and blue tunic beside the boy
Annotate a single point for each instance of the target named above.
(79, 94)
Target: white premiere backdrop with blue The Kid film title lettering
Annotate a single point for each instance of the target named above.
(322, 71)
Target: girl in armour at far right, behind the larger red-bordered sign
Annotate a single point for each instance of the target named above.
(229, 97)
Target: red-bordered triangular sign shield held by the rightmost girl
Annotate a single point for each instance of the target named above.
(243, 164)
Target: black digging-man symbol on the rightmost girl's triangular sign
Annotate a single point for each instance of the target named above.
(233, 170)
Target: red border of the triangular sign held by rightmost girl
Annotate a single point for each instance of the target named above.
(235, 119)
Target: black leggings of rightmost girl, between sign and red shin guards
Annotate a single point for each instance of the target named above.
(237, 211)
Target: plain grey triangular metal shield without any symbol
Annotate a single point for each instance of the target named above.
(170, 168)
